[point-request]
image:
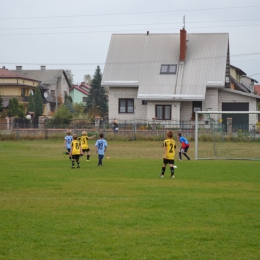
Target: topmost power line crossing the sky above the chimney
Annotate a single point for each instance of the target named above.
(132, 13)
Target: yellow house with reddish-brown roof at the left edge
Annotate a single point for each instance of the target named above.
(15, 85)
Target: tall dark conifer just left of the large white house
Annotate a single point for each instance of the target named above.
(97, 98)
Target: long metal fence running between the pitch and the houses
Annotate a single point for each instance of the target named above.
(130, 129)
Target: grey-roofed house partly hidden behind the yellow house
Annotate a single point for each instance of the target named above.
(55, 83)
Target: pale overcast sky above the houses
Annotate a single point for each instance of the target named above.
(75, 35)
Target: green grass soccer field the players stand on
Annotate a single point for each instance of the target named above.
(123, 210)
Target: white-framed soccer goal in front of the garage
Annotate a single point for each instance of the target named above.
(229, 135)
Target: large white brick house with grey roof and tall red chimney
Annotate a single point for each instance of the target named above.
(169, 76)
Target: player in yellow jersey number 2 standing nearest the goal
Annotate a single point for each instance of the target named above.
(169, 153)
